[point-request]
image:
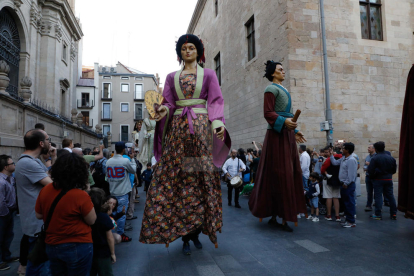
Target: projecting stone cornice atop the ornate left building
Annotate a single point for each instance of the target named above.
(67, 15)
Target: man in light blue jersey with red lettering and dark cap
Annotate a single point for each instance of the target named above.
(118, 170)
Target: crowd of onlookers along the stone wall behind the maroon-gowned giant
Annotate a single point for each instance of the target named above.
(330, 178)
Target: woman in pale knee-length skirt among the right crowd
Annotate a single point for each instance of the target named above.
(332, 185)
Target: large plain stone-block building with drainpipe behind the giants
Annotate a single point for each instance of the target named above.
(367, 77)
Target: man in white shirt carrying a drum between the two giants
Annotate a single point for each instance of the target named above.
(231, 168)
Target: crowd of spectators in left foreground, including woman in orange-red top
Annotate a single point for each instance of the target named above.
(81, 198)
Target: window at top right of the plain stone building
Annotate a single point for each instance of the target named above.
(371, 21)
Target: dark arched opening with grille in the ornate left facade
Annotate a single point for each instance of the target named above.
(10, 49)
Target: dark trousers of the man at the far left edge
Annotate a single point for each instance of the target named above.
(6, 235)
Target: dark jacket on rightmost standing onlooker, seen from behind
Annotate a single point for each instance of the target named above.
(382, 166)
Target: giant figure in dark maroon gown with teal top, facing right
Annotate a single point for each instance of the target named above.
(278, 189)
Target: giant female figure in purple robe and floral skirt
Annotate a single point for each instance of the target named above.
(184, 197)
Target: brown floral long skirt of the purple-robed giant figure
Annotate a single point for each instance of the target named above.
(185, 192)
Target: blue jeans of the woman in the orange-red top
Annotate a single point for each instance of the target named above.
(71, 259)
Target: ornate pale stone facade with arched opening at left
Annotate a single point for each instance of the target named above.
(39, 70)
